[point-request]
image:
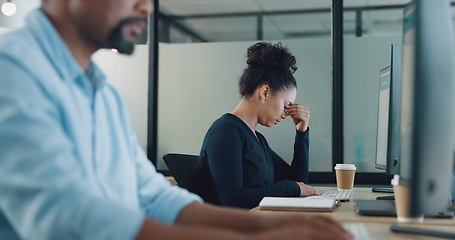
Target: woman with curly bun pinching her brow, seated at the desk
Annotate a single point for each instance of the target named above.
(237, 167)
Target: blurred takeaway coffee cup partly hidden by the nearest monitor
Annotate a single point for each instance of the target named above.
(402, 202)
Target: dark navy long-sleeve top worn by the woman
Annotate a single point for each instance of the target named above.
(237, 169)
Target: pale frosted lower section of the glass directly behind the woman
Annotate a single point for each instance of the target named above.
(199, 82)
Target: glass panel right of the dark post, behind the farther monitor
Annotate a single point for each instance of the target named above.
(368, 34)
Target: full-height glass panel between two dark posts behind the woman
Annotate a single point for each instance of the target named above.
(198, 82)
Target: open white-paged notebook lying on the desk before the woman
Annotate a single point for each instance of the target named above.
(312, 204)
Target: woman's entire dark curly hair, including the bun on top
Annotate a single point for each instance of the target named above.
(268, 64)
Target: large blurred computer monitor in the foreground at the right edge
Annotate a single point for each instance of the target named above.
(427, 132)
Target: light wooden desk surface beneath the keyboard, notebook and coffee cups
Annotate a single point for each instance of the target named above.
(378, 227)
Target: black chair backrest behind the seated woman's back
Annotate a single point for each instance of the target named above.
(184, 169)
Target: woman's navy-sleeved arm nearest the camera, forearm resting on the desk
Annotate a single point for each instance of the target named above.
(225, 157)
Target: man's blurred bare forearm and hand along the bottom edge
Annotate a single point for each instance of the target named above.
(203, 221)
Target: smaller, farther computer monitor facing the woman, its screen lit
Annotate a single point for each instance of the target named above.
(388, 128)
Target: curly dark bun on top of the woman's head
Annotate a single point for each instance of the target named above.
(267, 56)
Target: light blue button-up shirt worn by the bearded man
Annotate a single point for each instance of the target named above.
(70, 165)
